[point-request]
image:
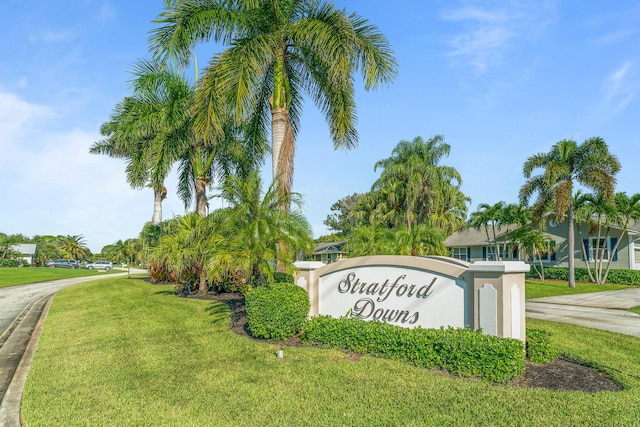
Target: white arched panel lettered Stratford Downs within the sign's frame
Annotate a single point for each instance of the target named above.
(403, 296)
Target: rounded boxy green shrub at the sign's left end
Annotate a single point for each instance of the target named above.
(276, 311)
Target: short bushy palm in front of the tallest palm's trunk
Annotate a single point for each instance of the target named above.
(254, 225)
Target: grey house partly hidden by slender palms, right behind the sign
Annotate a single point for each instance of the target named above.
(473, 245)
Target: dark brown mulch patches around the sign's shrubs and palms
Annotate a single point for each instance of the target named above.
(558, 375)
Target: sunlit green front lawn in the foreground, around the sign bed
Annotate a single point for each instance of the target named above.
(124, 352)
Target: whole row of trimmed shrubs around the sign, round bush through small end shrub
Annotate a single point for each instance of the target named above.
(279, 311)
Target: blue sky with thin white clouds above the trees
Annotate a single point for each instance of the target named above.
(500, 80)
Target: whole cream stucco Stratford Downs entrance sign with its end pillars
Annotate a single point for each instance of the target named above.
(430, 292)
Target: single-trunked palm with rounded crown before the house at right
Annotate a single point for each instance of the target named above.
(566, 165)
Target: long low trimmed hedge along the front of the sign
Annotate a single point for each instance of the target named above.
(464, 352)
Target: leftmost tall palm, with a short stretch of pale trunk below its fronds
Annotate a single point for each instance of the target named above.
(150, 129)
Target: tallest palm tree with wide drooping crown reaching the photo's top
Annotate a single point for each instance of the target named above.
(277, 51)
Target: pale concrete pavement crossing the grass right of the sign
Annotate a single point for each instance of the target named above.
(598, 310)
